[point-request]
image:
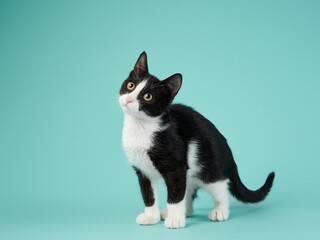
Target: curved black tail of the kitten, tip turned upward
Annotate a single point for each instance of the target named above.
(245, 195)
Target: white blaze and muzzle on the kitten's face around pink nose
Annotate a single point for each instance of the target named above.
(133, 105)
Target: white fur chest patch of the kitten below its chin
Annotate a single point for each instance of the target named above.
(137, 139)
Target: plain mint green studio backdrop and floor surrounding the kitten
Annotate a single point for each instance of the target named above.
(251, 67)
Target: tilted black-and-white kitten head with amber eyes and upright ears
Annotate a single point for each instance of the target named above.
(144, 95)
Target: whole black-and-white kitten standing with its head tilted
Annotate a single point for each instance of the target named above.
(178, 144)
